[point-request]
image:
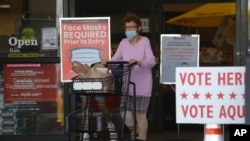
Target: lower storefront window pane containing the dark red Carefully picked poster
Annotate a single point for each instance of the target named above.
(30, 99)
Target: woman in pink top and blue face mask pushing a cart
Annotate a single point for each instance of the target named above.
(136, 48)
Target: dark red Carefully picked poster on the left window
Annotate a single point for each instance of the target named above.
(30, 82)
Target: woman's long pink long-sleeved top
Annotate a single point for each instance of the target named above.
(140, 75)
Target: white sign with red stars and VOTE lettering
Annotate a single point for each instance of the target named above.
(210, 95)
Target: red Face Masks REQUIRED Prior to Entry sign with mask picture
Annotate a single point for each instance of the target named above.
(84, 40)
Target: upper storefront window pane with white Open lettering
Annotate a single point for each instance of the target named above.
(30, 29)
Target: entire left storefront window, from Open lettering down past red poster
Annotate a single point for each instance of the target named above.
(31, 98)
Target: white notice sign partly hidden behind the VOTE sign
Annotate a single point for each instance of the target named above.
(177, 51)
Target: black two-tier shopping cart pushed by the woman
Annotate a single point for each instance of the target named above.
(89, 121)
